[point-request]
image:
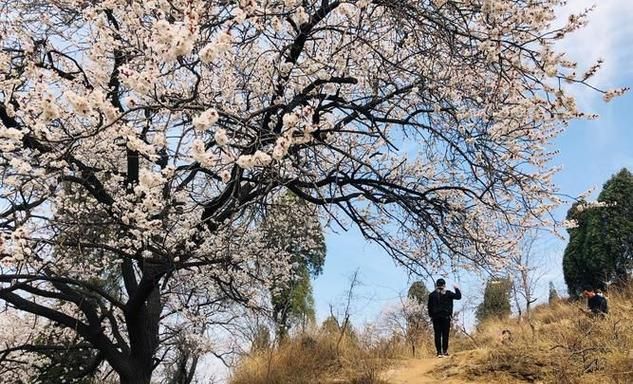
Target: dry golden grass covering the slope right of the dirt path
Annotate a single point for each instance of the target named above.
(560, 344)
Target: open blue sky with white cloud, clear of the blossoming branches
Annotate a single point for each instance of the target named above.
(590, 152)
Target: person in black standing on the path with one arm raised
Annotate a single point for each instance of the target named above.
(440, 308)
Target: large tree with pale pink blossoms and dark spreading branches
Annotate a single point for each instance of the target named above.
(139, 138)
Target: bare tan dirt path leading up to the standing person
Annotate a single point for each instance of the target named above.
(419, 371)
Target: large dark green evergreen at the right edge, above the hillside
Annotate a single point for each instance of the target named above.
(600, 248)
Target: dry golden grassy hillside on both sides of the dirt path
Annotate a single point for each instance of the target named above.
(560, 344)
